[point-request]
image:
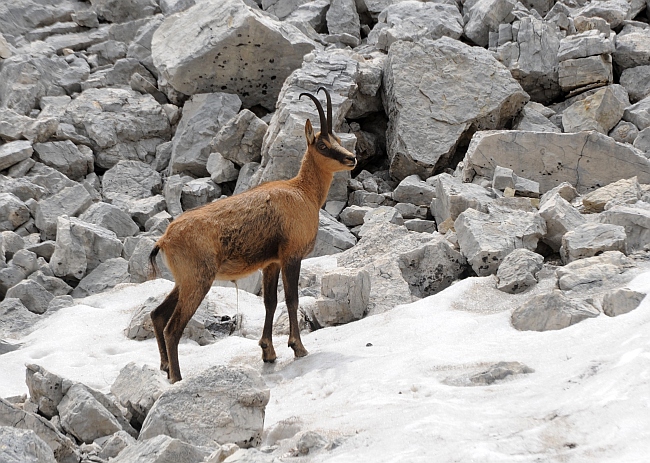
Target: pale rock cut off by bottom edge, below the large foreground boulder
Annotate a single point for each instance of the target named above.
(163, 449)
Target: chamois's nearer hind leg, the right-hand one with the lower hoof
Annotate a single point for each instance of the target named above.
(190, 296)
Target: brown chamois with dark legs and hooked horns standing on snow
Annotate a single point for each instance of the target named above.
(270, 227)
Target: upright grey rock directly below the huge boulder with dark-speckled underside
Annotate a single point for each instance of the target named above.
(203, 116)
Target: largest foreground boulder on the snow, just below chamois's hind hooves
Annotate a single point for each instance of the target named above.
(236, 398)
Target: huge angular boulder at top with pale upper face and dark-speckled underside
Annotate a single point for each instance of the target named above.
(211, 33)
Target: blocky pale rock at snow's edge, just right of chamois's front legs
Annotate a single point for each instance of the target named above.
(345, 296)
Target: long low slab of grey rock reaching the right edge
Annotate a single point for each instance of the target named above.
(553, 158)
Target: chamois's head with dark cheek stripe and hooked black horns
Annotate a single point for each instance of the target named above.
(325, 143)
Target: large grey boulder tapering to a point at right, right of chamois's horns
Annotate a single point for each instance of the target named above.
(419, 81)
